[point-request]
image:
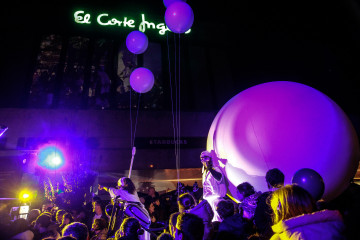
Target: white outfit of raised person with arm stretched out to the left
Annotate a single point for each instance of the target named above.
(125, 195)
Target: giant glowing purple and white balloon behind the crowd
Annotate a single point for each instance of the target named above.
(284, 125)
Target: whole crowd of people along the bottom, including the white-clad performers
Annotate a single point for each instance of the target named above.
(282, 212)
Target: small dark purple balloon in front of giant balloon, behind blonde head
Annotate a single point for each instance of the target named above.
(311, 181)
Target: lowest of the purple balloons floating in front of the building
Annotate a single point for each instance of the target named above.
(142, 80)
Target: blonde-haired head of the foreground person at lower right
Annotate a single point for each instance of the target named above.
(291, 201)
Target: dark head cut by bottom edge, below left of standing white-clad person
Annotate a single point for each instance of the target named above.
(189, 227)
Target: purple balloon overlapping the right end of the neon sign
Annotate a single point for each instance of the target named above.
(179, 17)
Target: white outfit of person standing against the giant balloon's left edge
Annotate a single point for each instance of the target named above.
(213, 190)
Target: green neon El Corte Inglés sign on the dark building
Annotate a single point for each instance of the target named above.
(103, 19)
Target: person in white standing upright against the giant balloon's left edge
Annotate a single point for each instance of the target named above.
(214, 188)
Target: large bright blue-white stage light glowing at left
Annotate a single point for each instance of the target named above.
(51, 158)
